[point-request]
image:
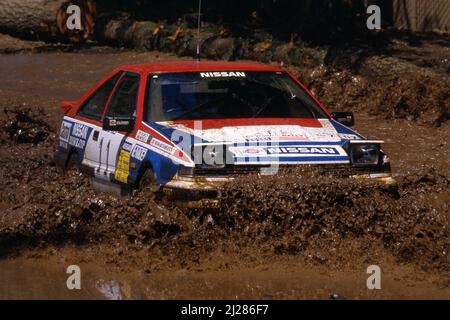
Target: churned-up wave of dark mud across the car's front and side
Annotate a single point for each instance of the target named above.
(298, 212)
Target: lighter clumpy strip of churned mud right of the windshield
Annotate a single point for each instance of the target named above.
(414, 96)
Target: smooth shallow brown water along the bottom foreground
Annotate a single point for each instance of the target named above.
(30, 278)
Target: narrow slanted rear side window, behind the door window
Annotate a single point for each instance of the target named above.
(93, 107)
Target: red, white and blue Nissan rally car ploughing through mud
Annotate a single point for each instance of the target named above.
(187, 127)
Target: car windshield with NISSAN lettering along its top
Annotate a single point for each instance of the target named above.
(227, 94)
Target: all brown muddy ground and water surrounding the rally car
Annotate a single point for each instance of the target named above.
(301, 236)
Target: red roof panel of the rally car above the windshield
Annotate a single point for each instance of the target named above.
(193, 65)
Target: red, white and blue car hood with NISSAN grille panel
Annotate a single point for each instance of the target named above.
(265, 140)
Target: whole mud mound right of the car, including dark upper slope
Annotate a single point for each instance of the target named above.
(402, 77)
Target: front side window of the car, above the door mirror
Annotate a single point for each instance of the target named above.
(124, 99)
